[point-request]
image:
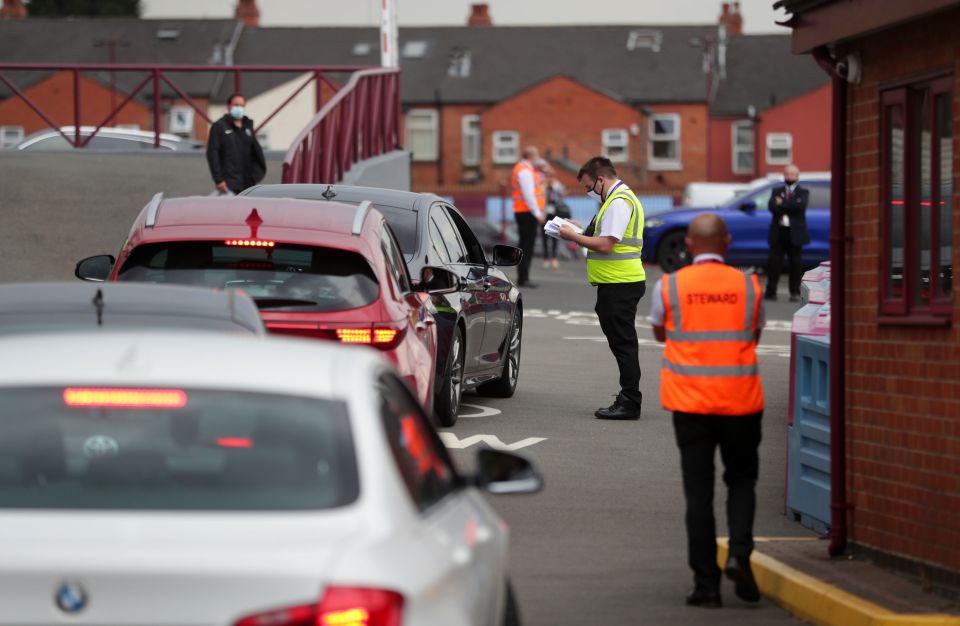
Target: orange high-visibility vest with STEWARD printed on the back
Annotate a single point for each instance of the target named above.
(710, 360)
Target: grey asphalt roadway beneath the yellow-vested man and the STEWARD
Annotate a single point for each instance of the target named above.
(604, 542)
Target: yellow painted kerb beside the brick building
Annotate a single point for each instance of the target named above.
(820, 603)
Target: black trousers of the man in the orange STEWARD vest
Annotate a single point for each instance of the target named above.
(738, 437)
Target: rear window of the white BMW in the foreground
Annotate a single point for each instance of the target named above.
(173, 449)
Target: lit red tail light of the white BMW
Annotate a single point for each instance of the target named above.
(340, 606)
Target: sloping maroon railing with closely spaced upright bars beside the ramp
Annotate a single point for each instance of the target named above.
(361, 121)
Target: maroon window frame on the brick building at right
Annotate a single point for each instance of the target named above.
(902, 308)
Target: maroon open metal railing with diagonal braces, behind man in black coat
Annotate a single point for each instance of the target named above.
(156, 76)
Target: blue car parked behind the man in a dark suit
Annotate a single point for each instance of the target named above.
(748, 219)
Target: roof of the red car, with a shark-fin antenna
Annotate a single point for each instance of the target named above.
(235, 211)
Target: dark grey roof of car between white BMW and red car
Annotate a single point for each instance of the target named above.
(129, 299)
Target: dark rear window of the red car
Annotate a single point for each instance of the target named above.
(282, 277)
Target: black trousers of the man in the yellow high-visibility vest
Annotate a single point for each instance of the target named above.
(617, 311)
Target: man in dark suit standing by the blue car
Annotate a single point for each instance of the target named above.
(788, 232)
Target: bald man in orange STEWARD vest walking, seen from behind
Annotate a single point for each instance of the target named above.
(710, 316)
